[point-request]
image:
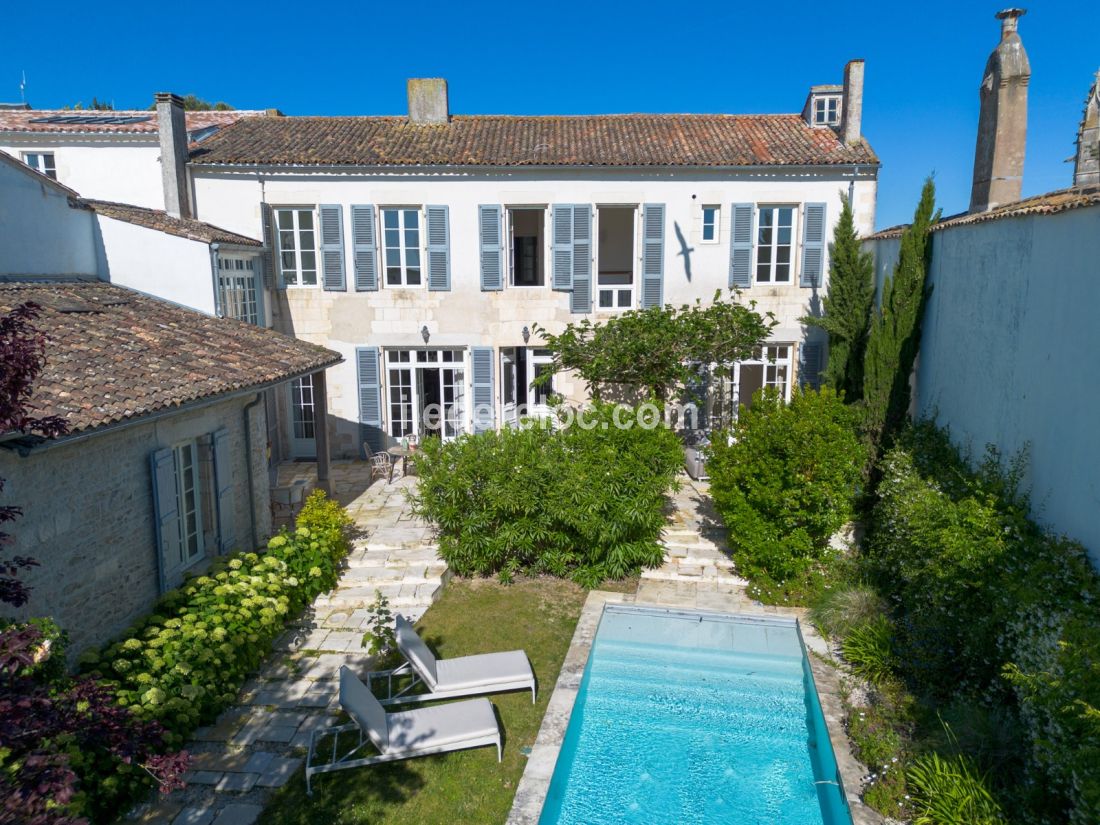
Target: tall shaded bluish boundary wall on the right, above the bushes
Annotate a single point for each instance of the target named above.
(1009, 355)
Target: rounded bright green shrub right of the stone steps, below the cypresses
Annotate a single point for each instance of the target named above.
(785, 479)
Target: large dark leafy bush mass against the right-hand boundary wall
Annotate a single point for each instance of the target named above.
(991, 609)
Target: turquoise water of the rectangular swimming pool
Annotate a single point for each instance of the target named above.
(689, 718)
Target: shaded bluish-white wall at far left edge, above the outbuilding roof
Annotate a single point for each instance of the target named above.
(40, 233)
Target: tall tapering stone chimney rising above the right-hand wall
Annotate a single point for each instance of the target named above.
(1003, 125)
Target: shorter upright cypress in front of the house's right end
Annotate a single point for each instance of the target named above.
(846, 309)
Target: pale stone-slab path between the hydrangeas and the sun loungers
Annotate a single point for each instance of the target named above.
(259, 744)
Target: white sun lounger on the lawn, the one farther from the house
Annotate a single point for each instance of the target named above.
(405, 735)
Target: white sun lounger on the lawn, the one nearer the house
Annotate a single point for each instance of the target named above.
(466, 676)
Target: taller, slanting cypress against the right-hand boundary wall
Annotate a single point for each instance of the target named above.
(896, 328)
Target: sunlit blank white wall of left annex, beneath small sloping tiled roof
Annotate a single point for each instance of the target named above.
(153, 262)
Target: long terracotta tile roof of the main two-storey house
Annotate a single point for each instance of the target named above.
(603, 140)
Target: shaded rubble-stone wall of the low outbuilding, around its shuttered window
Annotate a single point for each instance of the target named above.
(90, 519)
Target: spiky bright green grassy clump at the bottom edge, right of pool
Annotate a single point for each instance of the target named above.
(951, 791)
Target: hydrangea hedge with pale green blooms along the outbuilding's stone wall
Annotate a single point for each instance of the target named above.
(188, 662)
